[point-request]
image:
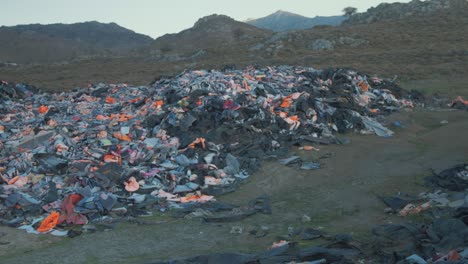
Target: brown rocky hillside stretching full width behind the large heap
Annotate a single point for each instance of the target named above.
(428, 46)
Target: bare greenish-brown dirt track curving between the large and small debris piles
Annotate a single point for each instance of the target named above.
(340, 198)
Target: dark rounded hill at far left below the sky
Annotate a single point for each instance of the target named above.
(36, 43)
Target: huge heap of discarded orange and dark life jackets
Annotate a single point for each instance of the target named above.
(113, 150)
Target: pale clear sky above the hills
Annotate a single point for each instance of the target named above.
(158, 17)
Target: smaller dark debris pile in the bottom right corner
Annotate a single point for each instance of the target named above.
(441, 234)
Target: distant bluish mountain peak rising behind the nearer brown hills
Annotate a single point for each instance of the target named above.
(284, 21)
